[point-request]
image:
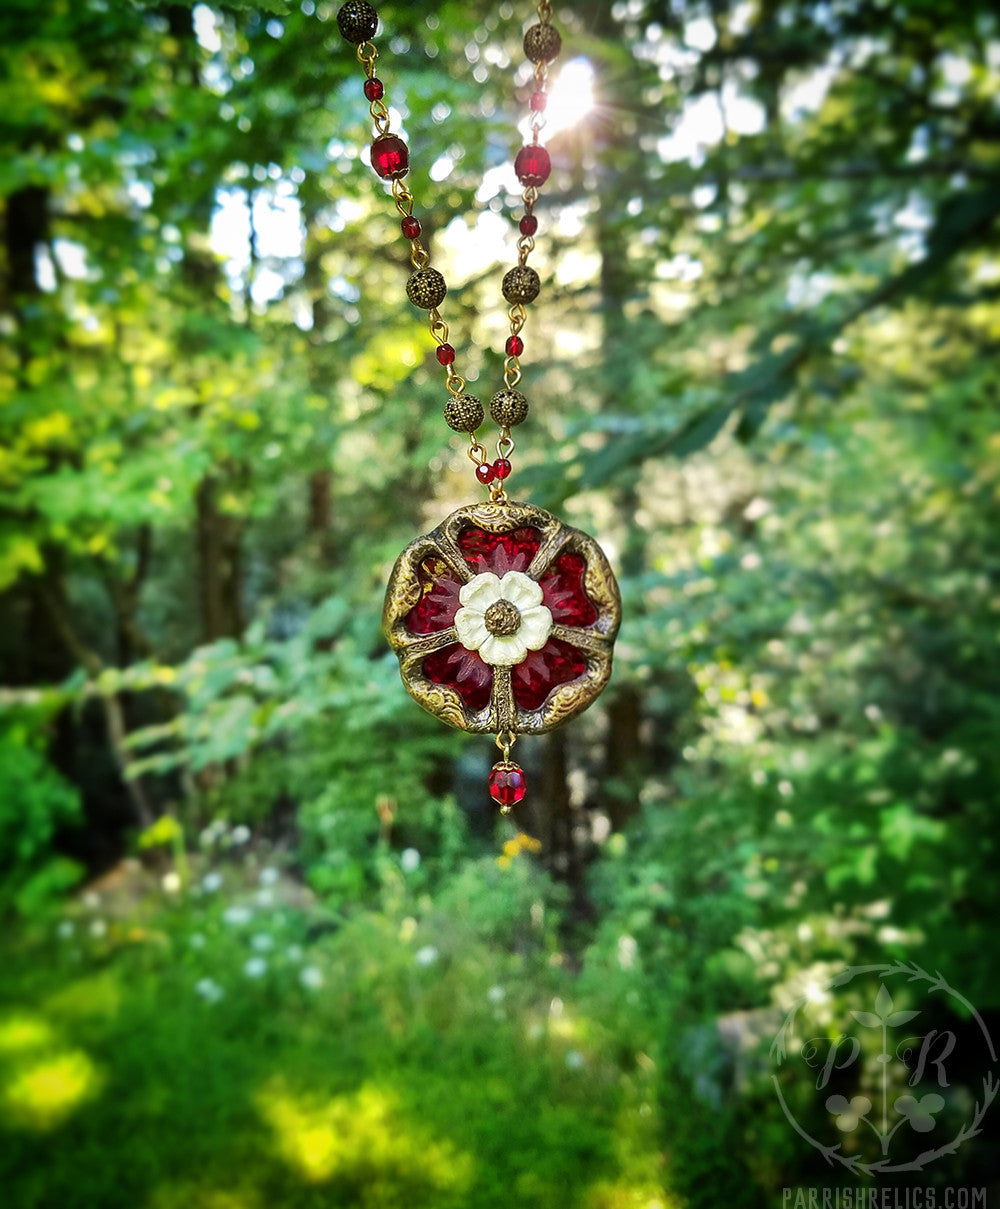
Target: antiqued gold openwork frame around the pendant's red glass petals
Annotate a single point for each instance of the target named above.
(596, 643)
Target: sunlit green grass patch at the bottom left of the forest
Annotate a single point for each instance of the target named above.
(174, 1058)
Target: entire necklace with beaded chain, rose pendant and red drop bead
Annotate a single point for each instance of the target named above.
(504, 617)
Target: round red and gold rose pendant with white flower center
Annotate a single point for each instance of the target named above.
(504, 620)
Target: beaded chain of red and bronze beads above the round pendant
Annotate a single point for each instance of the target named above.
(426, 290)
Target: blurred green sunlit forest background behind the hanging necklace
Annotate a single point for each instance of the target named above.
(265, 941)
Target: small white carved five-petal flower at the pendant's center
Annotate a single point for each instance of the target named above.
(502, 618)
